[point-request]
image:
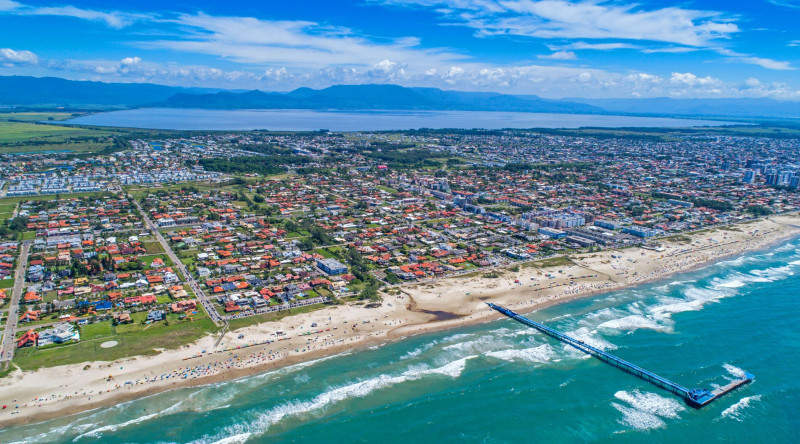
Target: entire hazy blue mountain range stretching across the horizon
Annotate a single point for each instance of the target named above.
(49, 91)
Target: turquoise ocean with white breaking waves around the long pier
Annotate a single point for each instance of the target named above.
(501, 382)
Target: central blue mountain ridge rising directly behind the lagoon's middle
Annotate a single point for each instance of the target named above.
(354, 97)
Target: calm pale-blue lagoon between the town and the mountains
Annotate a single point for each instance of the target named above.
(312, 120)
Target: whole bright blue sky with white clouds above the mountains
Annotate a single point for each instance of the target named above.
(552, 48)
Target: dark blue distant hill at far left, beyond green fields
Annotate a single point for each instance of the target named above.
(53, 91)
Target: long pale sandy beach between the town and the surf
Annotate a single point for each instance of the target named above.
(407, 310)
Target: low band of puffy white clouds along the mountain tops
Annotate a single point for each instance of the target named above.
(543, 80)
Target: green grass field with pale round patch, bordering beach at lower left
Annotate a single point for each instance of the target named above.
(133, 339)
